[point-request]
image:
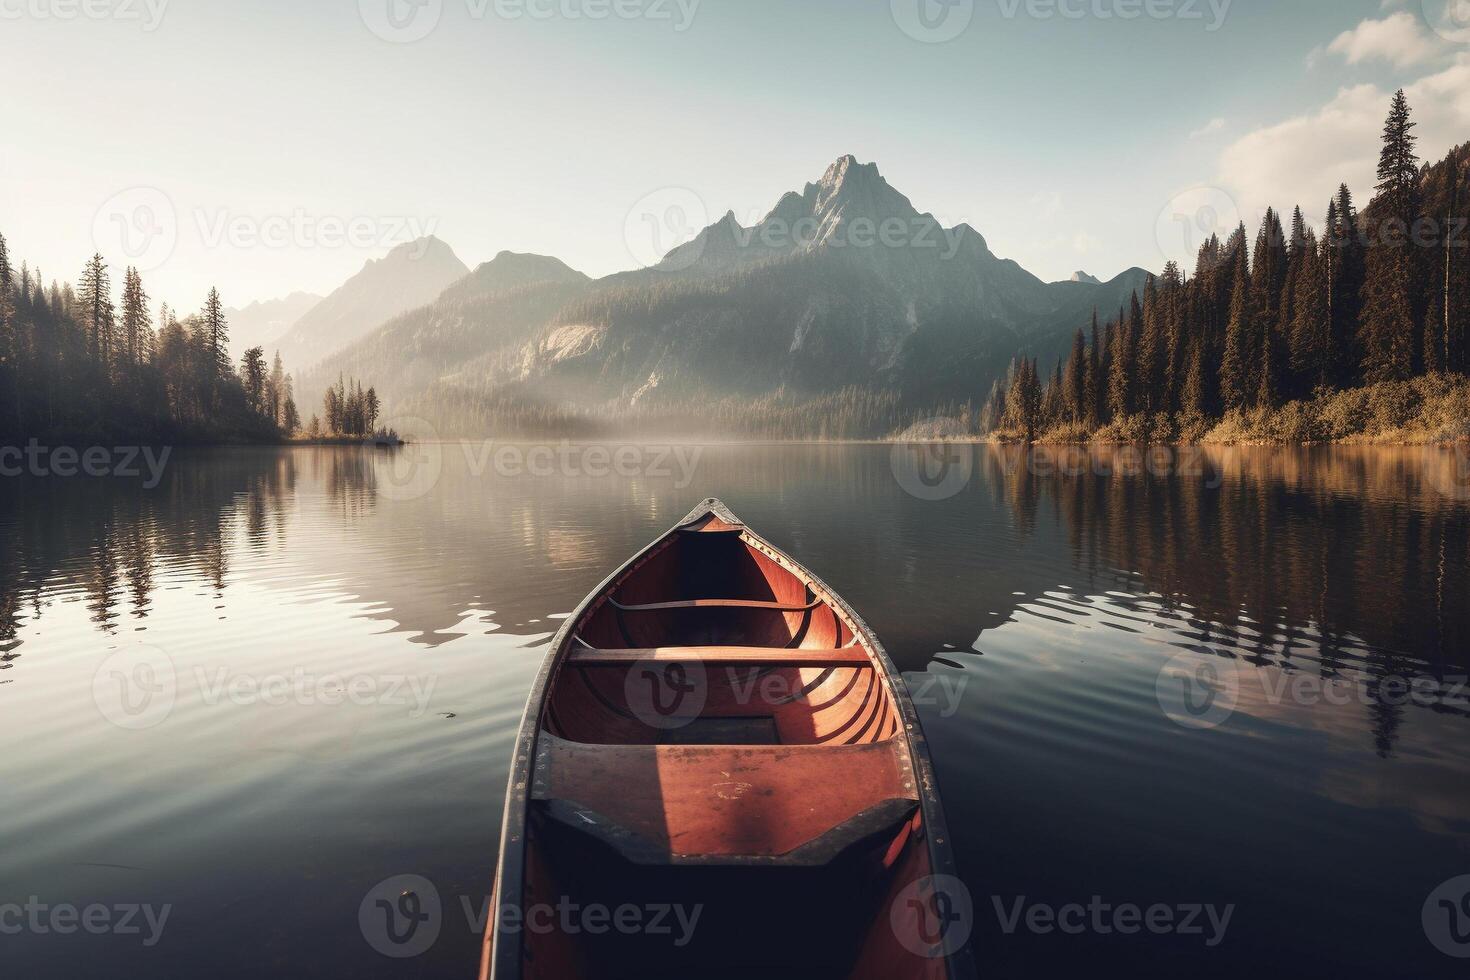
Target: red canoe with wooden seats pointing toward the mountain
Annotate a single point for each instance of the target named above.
(720, 772)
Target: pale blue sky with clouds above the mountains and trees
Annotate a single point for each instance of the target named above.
(277, 145)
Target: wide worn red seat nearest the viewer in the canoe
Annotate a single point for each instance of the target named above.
(725, 804)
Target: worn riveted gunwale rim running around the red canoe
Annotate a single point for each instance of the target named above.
(503, 951)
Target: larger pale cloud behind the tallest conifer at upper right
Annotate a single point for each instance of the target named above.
(1303, 159)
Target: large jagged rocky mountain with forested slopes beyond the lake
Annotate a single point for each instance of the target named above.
(843, 287)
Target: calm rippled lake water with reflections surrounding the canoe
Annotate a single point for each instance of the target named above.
(279, 678)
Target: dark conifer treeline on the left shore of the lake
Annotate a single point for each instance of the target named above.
(79, 365)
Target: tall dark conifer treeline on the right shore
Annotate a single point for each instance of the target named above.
(1378, 299)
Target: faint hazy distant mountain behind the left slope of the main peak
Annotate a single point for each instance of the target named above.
(408, 277)
